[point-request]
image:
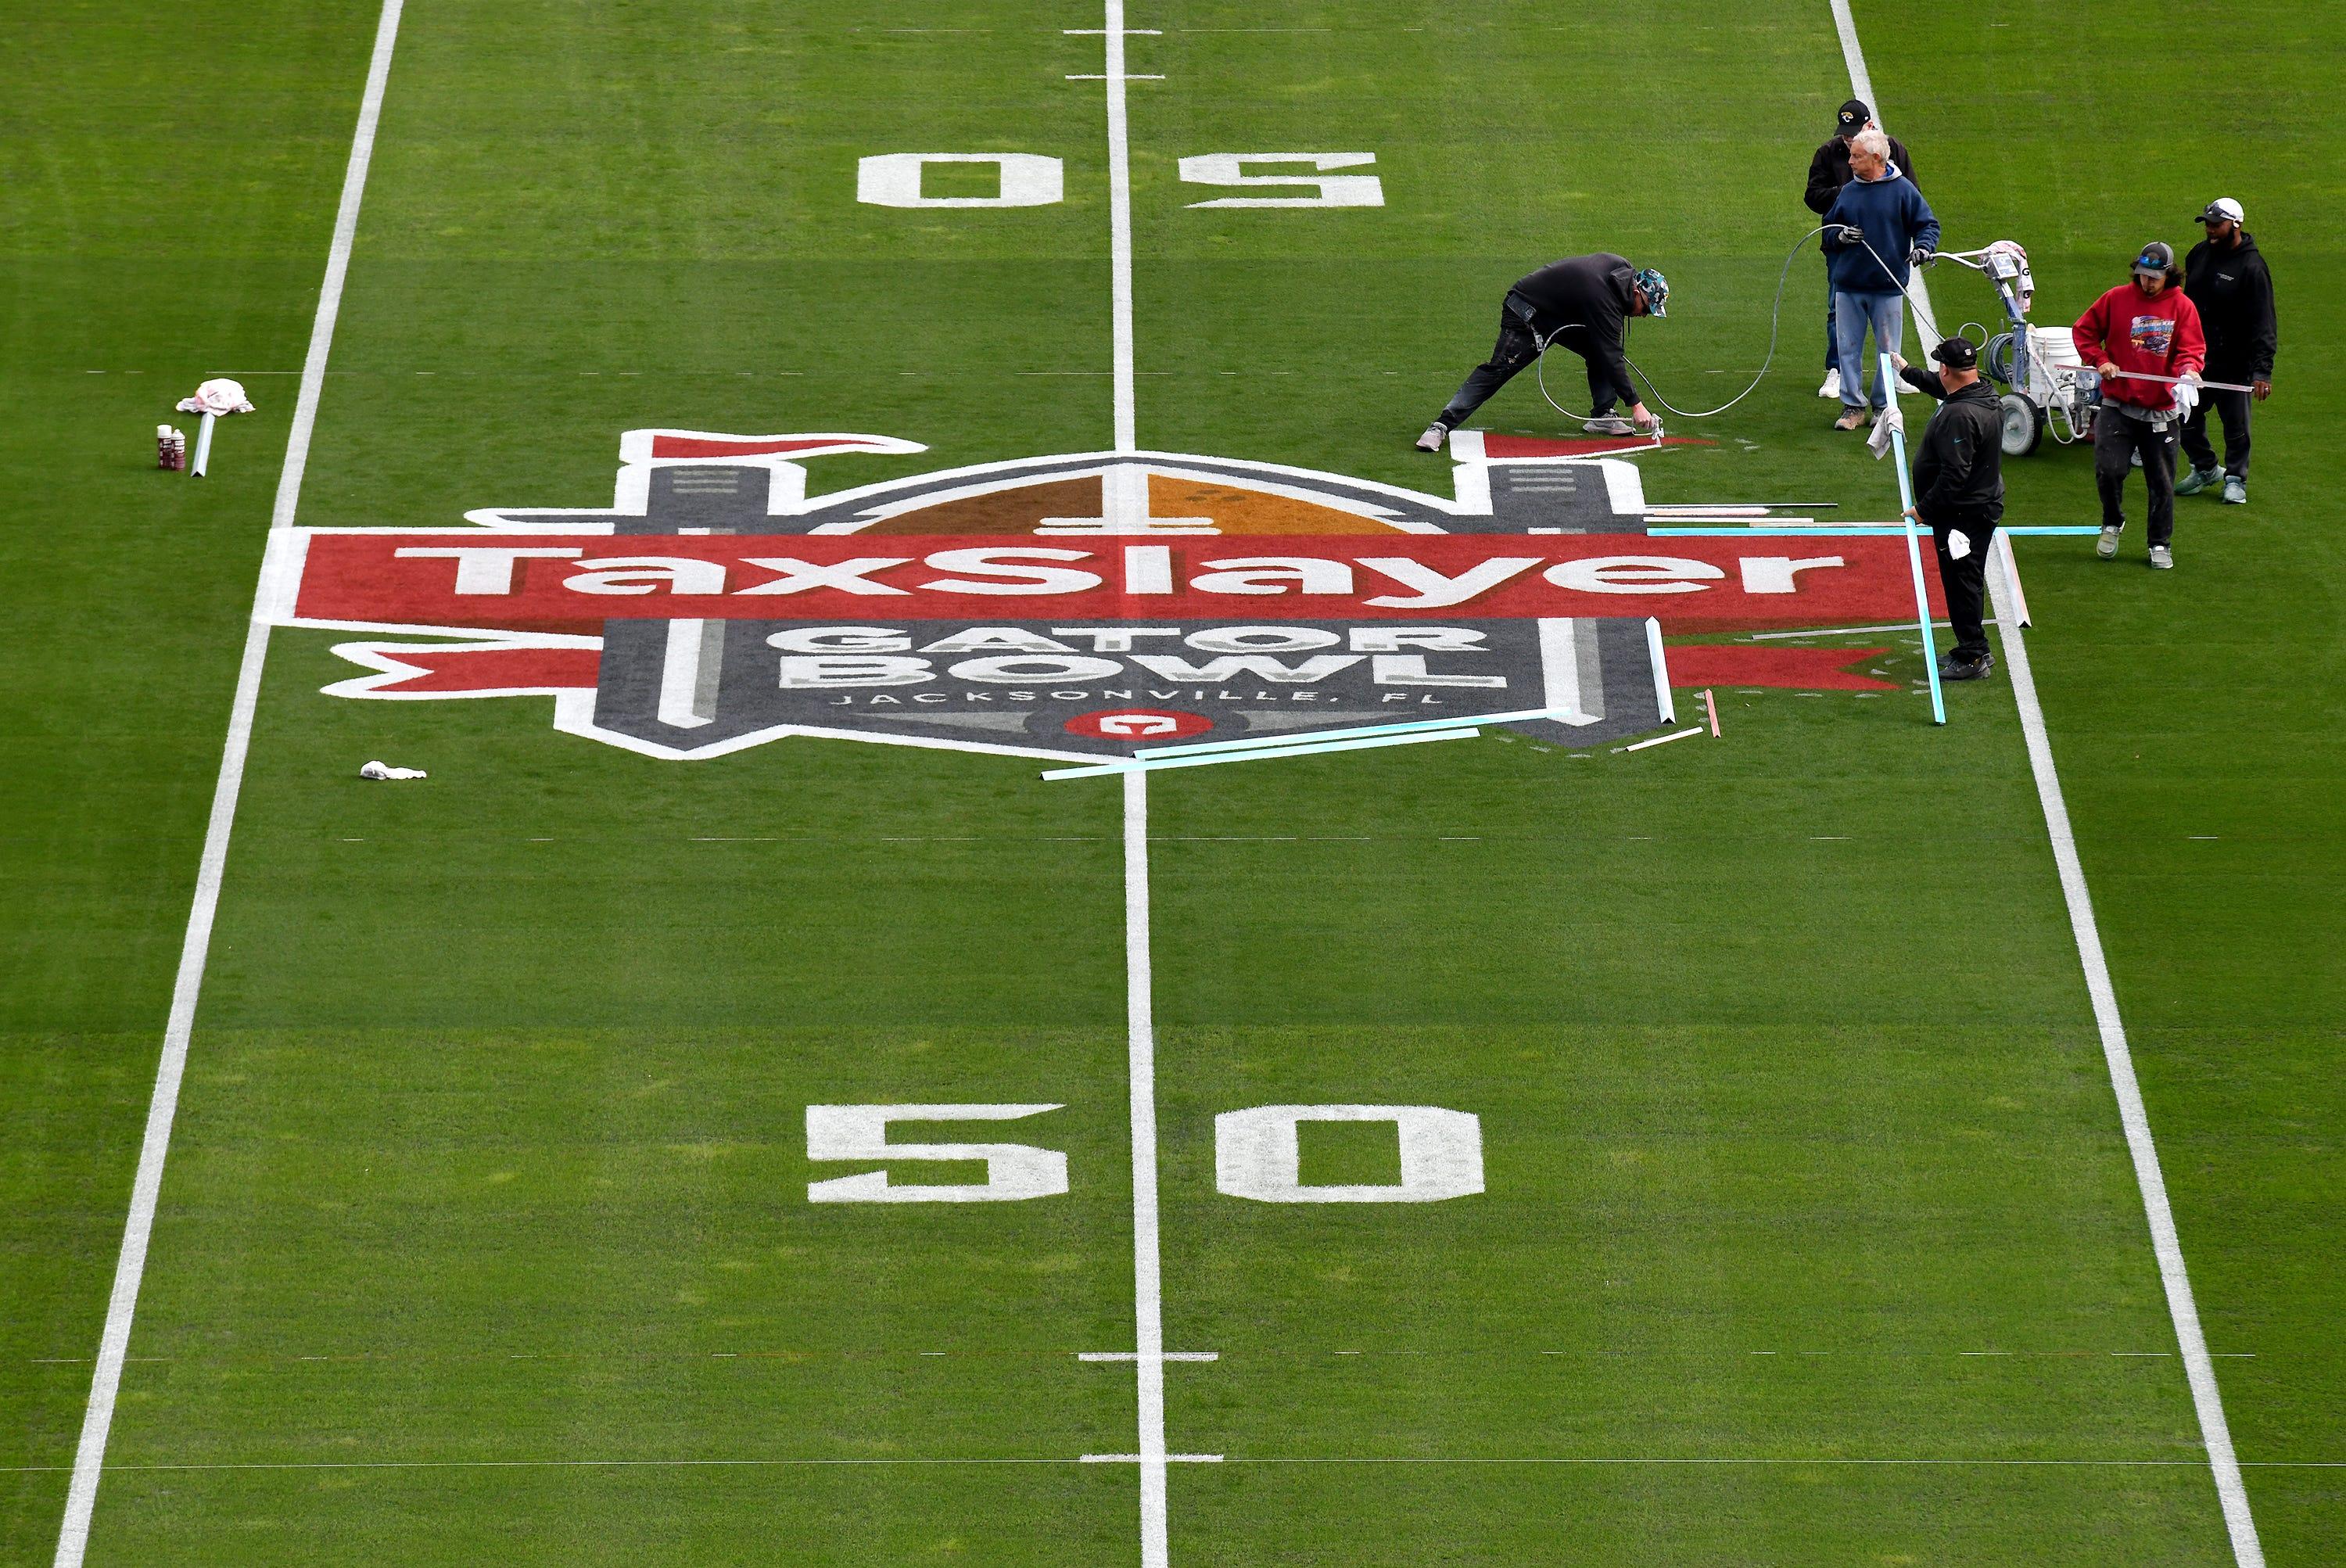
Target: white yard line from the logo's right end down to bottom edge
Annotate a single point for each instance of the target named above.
(2199, 1370)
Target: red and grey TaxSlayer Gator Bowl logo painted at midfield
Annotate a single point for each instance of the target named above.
(1073, 607)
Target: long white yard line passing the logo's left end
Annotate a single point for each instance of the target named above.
(163, 1107)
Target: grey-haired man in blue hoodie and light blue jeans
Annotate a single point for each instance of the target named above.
(1876, 236)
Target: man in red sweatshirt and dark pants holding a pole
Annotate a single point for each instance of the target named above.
(2148, 327)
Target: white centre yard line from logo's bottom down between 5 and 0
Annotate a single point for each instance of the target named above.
(1148, 1280)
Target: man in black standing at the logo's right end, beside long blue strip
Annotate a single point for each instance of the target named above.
(1960, 494)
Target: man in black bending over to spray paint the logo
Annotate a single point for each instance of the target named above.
(1585, 304)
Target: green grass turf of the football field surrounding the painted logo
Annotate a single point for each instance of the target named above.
(1808, 1226)
